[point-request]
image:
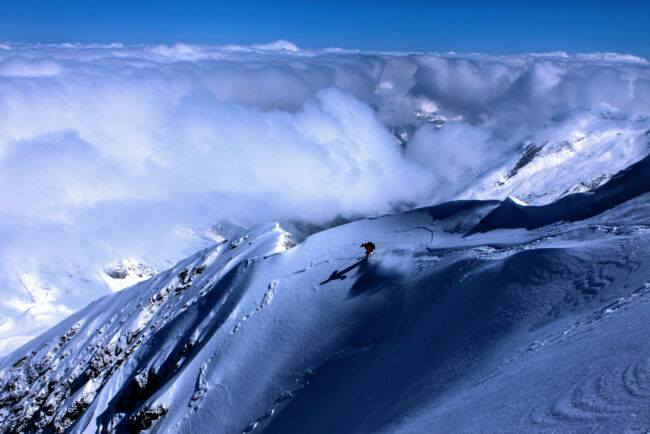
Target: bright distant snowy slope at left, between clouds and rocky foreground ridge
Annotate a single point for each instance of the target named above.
(37, 295)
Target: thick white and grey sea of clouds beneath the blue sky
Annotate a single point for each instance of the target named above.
(110, 151)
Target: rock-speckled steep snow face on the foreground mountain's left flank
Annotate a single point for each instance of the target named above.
(104, 344)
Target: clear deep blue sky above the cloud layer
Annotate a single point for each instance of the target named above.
(495, 27)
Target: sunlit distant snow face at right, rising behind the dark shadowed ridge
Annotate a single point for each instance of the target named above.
(582, 160)
